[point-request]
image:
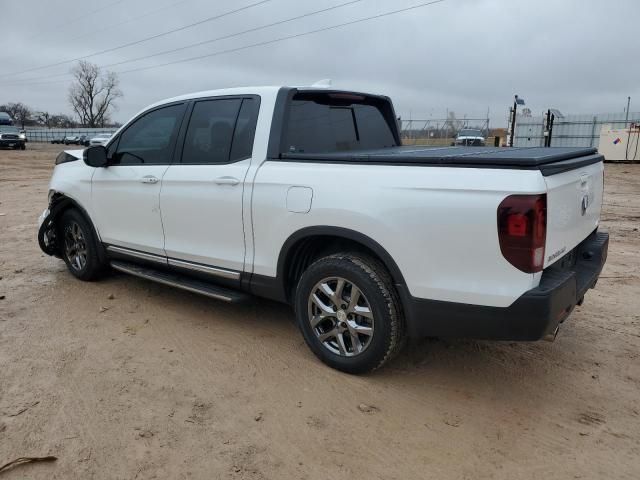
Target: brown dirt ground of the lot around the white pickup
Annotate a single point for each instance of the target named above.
(124, 379)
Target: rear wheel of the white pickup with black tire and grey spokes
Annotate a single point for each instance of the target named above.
(387, 328)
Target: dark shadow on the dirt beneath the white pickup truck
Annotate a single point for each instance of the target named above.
(271, 326)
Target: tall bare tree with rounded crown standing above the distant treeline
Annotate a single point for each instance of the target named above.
(93, 93)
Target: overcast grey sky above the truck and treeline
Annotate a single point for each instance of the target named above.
(463, 55)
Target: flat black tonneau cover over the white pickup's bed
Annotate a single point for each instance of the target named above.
(548, 160)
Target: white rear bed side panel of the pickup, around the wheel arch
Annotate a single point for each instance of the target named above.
(438, 223)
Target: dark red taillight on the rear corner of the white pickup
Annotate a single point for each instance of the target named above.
(522, 230)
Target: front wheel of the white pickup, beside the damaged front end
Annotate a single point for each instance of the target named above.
(72, 223)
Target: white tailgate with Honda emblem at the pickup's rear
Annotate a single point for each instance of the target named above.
(574, 199)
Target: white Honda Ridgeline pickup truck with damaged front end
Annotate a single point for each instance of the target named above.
(306, 196)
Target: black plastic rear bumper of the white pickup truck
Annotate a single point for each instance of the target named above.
(534, 315)
